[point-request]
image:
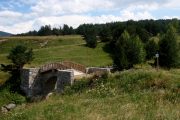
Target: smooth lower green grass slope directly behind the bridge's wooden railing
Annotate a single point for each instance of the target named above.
(77, 53)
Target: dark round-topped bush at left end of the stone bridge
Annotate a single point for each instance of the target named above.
(19, 56)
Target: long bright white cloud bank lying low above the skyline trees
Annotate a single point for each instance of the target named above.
(76, 20)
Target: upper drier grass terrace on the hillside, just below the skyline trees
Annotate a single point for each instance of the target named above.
(37, 42)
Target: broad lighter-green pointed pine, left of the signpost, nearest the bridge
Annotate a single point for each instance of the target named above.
(128, 51)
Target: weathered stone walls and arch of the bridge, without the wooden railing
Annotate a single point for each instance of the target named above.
(35, 83)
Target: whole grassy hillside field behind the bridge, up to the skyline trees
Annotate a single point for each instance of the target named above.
(55, 49)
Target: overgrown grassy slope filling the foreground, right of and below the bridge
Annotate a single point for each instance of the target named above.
(133, 94)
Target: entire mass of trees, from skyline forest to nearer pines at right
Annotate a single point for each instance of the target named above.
(130, 42)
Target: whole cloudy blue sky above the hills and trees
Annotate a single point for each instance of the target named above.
(19, 16)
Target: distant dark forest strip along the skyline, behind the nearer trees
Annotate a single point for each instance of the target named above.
(147, 27)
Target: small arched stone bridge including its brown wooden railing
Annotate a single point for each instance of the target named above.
(49, 77)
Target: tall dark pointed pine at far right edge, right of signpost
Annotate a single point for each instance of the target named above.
(168, 49)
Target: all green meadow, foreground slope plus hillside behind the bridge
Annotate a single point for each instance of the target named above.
(138, 93)
